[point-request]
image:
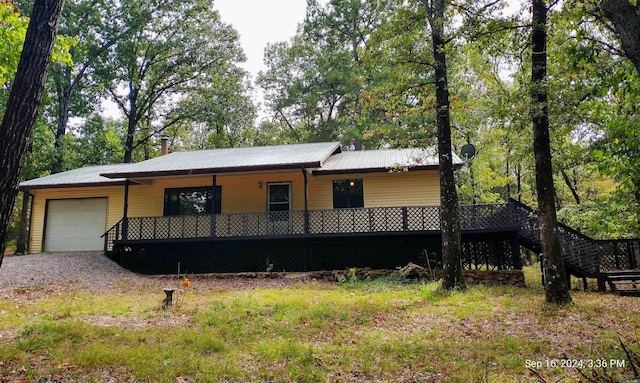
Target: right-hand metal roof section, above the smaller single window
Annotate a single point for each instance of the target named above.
(382, 160)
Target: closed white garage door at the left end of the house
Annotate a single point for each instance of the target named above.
(75, 224)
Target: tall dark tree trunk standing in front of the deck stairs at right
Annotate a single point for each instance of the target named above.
(556, 286)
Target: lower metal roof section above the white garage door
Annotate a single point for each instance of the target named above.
(87, 176)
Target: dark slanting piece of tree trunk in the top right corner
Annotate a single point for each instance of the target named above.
(625, 18)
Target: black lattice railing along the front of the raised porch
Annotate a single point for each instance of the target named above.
(316, 222)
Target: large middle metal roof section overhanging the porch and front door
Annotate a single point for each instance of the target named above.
(250, 158)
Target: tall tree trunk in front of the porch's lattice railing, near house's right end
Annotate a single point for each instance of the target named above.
(449, 216)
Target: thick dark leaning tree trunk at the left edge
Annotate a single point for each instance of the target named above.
(23, 103)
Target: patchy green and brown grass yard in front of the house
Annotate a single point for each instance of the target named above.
(375, 331)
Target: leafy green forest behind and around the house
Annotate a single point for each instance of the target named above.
(357, 72)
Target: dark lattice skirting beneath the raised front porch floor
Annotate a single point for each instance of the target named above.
(493, 251)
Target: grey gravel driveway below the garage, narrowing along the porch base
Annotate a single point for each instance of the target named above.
(95, 272)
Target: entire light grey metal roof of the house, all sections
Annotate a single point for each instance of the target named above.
(321, 158)
